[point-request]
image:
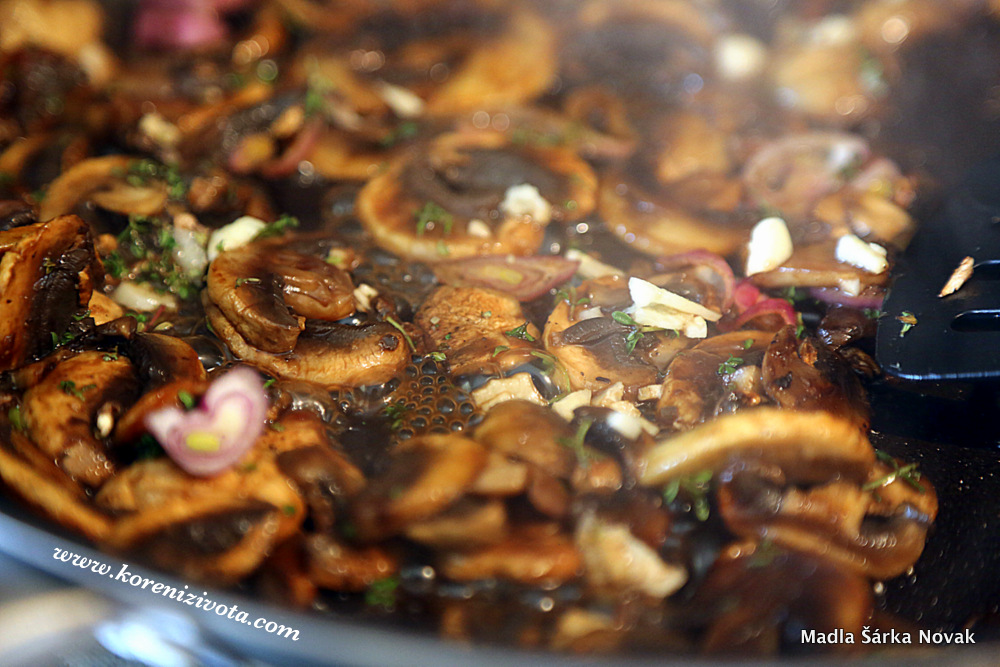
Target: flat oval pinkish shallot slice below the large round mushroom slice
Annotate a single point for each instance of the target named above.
(525, 278)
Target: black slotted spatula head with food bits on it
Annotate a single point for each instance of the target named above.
(957, 336)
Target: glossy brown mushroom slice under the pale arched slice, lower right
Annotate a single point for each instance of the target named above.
(839, 521)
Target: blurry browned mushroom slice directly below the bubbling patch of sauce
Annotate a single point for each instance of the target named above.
(425, 475)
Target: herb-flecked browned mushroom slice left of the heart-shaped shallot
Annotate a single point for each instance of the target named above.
(63, 411)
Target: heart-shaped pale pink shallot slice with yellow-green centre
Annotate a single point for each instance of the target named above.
(216, 434)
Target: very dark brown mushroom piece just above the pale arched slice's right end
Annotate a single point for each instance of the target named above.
(807, 375)
